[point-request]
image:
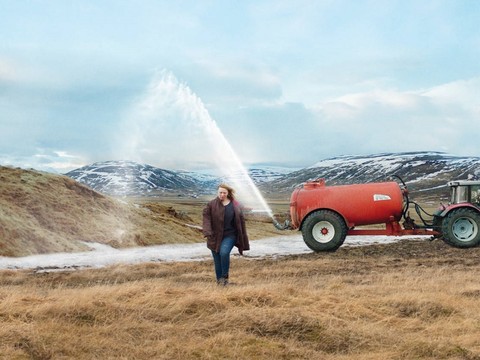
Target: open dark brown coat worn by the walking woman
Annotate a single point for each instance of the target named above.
(213, 215)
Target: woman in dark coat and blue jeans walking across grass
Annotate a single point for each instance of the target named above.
(224, 228)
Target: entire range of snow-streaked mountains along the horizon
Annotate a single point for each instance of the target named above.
(425, 172)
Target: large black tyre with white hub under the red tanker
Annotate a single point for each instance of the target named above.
(324, 230)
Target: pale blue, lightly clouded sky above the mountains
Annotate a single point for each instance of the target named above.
(286, 82)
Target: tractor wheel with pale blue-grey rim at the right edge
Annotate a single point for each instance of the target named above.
(461, 228)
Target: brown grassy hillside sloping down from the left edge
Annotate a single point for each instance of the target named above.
(43, 213)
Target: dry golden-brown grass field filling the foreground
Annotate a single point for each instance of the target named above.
(412, 300)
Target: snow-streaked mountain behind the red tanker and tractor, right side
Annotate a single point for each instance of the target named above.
(426, 172)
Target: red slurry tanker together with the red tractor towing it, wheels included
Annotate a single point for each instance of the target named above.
(327, 214)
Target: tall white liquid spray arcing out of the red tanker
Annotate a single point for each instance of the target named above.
(170, 127)
